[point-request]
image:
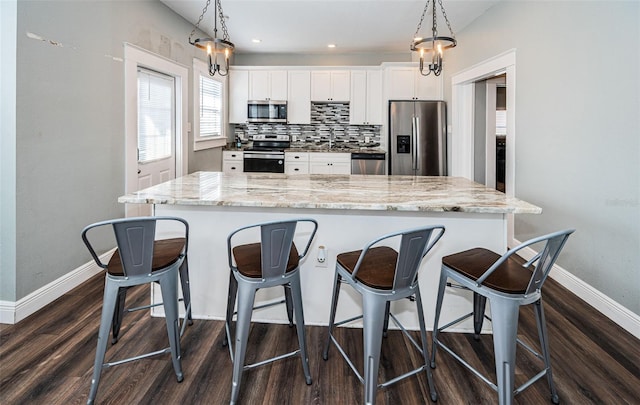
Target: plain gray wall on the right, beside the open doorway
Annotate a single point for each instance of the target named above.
(577, 127)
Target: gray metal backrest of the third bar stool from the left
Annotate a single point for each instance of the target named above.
(414, 246)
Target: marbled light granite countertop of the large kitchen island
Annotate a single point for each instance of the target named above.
(356, 192)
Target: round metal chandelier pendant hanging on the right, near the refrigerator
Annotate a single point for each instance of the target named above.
(436, 44)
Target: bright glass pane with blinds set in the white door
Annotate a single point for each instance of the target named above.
(155, 115)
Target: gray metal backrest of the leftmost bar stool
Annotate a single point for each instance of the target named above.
(135, 241)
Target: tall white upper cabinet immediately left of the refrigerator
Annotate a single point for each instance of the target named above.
(366, 97)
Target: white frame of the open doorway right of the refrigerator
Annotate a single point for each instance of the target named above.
(463, 120)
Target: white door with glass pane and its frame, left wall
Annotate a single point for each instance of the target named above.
(161, 154)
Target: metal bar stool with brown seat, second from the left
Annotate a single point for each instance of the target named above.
(272, 262)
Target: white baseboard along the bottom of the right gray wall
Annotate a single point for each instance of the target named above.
(608, 307)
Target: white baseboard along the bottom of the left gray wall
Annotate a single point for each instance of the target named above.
(14, 312)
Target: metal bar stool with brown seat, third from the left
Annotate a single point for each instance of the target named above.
(381, 275)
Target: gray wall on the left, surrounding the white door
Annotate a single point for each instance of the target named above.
(70, 123)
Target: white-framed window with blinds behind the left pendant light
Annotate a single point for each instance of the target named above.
(209, 108)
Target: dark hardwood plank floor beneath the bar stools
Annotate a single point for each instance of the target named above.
(48, 358)
